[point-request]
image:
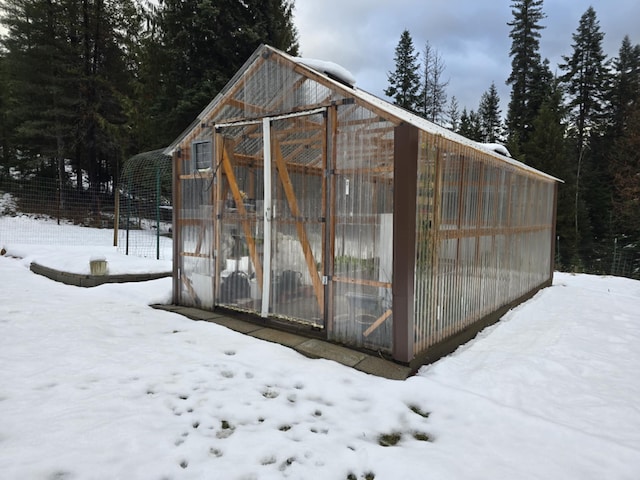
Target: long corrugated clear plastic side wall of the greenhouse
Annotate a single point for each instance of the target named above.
(484, 238)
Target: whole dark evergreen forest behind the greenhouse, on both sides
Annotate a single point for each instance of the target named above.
(86, 84)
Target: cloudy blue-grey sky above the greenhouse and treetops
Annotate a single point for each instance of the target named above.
(471, 36)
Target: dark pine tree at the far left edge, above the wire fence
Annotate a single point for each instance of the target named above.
(42, 80)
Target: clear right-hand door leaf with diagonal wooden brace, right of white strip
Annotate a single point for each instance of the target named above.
(297, 223)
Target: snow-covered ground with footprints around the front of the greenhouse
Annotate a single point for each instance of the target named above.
(95, 384)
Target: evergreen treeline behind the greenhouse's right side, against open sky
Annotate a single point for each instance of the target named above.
(581, 125)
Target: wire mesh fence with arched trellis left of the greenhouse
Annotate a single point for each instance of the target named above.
(136, 216)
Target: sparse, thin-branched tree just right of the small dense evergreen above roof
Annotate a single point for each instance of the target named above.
(433, 96)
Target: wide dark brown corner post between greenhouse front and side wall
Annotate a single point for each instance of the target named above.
(405, 173)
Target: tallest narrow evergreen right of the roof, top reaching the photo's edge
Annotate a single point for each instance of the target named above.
(526, 68)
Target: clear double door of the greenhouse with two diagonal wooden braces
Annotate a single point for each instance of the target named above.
(272, 237)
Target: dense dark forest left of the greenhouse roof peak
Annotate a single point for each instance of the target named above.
(89, 83)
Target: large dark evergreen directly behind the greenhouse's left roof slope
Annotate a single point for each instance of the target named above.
(201, 45)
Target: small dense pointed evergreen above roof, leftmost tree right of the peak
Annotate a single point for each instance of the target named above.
(404, 81)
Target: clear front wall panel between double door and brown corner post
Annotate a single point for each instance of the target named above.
(362, 197)
